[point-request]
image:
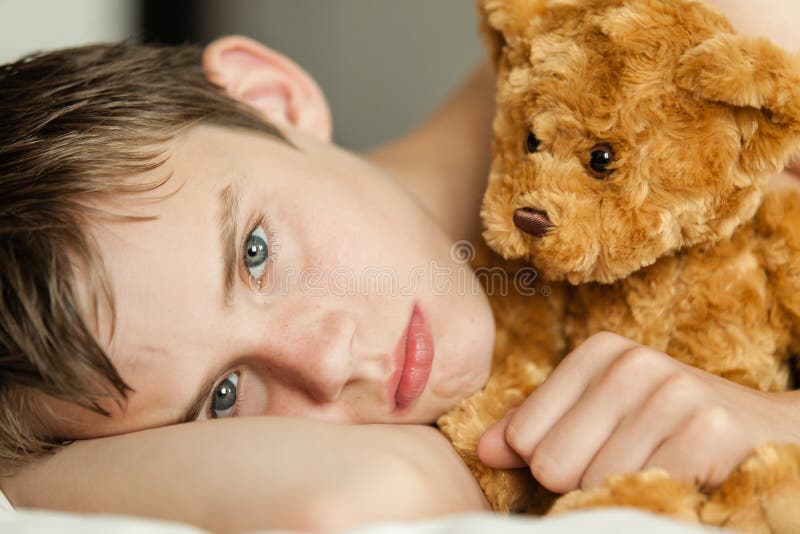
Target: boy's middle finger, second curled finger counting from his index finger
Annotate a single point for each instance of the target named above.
(562, 457)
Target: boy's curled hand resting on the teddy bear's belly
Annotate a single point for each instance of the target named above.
(614, 406)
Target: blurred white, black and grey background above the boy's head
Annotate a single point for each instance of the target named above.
(384, 64)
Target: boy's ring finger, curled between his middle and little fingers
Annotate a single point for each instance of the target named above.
(643, 431)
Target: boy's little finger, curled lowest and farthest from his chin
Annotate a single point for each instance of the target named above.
(705, 449)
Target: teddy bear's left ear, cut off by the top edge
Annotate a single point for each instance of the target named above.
(503, 22)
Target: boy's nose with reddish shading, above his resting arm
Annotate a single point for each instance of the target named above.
(315, 356)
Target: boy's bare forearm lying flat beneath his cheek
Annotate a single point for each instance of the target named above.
(254, 473)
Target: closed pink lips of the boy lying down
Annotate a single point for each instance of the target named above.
(413, 361)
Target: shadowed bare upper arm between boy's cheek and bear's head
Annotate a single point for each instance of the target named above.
(444, 163)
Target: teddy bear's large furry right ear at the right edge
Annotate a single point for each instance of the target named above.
(758, 77)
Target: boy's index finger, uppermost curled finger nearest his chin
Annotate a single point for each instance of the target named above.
(562, 389)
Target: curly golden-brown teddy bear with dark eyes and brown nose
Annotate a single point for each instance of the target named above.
(633, 141)
